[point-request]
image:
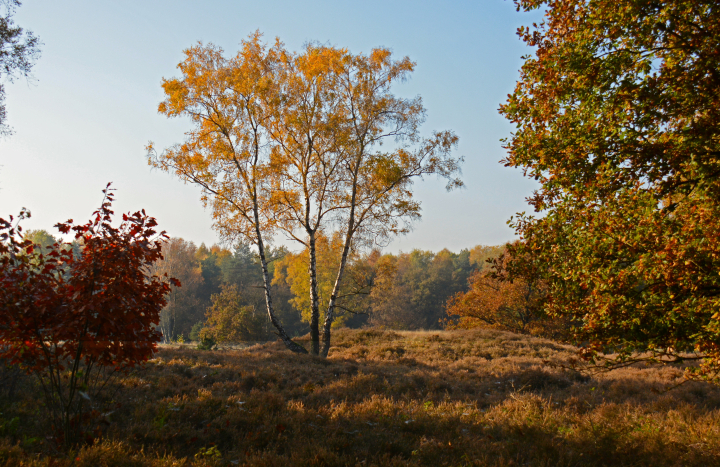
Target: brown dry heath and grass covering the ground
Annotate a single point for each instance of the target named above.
(388, 398)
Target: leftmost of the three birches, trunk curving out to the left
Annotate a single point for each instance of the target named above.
(227, 153)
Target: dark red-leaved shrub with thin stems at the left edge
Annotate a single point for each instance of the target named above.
(75, 319)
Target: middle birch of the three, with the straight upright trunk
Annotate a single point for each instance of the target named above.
(306, 127)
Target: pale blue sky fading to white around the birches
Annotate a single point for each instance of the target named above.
(91, 108)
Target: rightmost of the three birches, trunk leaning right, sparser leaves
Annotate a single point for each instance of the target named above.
(376, 199)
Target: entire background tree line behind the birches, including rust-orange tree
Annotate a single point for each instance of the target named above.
(221, 297)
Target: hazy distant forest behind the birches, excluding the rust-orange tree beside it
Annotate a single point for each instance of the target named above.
(394, 291)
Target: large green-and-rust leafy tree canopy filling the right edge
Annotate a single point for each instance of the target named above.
(617, 117)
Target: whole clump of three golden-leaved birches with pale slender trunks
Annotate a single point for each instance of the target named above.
(291, 142)
